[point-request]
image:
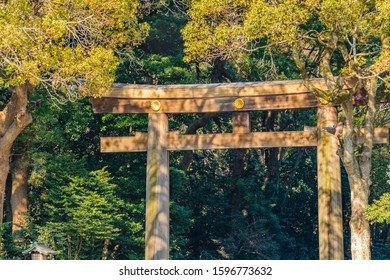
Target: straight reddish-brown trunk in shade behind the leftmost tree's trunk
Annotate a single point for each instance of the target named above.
(19, 171)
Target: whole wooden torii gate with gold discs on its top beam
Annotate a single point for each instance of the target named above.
(239, 98)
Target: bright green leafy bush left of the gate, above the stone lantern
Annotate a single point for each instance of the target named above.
(84, 212)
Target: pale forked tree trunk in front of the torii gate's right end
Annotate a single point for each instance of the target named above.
(359, 172)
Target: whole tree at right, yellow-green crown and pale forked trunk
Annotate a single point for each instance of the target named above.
(335, 40)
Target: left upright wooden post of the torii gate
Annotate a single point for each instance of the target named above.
(157, 189)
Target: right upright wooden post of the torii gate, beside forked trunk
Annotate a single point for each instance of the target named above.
(330, 223)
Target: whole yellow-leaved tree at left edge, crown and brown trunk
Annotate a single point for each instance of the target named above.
(70, 48)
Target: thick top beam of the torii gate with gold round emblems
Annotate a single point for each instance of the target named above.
(248, 96)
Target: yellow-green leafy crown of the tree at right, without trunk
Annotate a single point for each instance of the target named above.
(358, 30)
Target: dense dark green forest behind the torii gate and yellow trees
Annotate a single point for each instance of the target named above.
(225, 204)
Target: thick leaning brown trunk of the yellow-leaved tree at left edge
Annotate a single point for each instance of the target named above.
(13, 119)
